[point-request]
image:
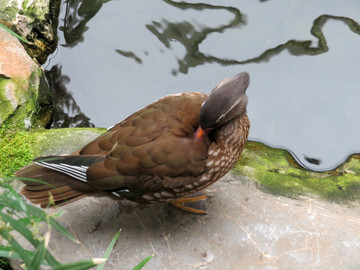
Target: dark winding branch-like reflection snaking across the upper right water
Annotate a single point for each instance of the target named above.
(187, 34)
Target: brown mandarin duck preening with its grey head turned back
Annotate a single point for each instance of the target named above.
(163, 153)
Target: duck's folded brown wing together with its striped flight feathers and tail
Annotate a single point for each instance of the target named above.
(152, 150)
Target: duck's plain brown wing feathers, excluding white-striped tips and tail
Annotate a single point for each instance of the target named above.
(154, 147)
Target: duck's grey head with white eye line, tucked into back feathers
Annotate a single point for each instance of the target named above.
(226, 102)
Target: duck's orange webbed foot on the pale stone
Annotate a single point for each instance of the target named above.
(195, 204)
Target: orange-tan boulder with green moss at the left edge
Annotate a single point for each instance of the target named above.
(20, 80)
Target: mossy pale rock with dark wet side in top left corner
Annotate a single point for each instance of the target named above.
(34, 20)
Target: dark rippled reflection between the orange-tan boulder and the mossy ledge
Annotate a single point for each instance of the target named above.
(66, 112)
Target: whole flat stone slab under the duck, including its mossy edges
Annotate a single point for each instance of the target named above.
(246, 228)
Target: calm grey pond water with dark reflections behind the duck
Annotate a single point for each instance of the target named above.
(303, 56)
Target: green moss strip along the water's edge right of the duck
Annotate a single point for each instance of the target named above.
(275, 171)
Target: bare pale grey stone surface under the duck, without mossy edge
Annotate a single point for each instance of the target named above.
(245, 229)
